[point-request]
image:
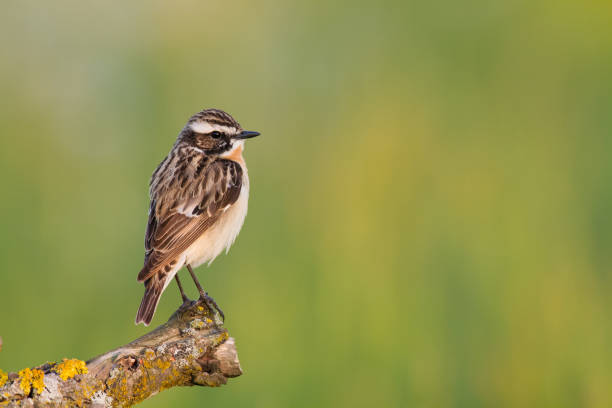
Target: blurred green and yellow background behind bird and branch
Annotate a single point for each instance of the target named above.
(430, 216)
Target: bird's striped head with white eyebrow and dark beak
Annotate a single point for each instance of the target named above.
(215, 132)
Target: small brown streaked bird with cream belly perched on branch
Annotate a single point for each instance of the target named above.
(198, 203)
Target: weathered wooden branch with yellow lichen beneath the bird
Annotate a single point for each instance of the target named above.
(192, 348)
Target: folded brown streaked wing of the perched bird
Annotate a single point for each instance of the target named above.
(183, 210)
